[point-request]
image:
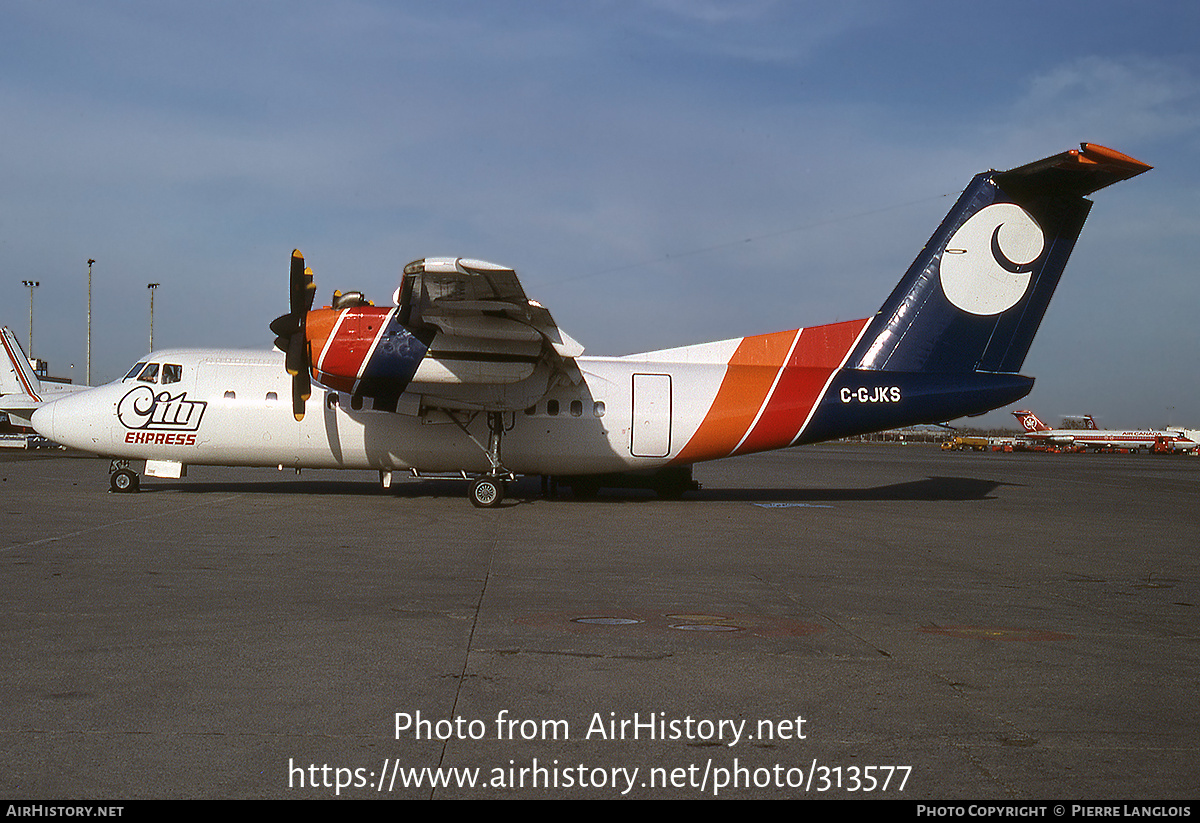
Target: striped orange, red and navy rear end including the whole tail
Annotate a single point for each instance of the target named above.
(949, 343)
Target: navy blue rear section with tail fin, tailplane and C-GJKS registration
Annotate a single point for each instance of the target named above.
(952, 338)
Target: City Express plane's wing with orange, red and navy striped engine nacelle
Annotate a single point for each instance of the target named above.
(464, 335)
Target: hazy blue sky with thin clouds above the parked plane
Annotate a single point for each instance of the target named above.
(659, 172)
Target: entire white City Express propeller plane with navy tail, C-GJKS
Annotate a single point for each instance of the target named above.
(465, 375)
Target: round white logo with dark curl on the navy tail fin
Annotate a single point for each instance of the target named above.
(989, 262)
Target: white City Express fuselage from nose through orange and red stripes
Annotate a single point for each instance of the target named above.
(223, 407)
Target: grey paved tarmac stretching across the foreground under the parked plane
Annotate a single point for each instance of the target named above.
(848, 621)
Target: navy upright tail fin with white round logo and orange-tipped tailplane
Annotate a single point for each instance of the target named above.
(975, 297)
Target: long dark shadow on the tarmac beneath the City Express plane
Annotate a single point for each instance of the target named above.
(527, 490)
